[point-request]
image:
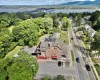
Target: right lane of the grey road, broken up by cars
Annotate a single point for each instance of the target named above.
(91, 74)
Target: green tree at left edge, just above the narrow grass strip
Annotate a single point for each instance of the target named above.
(5, 41)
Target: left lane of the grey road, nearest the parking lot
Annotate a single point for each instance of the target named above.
(81, 71)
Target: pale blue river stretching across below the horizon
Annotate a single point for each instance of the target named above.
(49, 11)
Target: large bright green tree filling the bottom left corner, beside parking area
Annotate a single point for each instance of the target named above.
(21, 66)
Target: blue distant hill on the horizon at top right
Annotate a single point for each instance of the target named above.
(97, 2)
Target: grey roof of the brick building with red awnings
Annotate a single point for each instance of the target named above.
(52, 40)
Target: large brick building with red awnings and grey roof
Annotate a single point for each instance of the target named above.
(50, 48)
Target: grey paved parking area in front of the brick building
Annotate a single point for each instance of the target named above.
(51, 68)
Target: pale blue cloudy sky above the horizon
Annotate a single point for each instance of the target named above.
(36, 2)
